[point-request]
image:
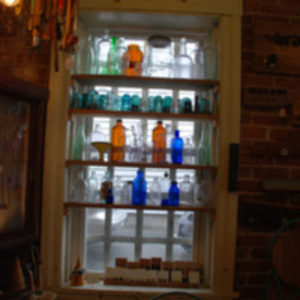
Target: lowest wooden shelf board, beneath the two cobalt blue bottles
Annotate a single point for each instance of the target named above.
(138, 207)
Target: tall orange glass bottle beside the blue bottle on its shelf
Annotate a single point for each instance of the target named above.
(159, 143)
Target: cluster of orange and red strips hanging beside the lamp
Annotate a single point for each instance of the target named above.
(47, 21)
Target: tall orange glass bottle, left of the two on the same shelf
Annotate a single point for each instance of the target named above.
(118, 140)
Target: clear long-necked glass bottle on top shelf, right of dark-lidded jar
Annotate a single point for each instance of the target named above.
(183, 64)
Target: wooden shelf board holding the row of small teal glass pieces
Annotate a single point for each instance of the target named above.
(135, 114)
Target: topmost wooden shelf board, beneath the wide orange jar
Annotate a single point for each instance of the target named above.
(144, 82)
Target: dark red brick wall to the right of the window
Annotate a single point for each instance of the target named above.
(260, 212)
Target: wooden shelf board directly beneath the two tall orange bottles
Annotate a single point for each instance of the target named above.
(70, 163)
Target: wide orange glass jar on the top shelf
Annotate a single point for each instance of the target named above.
(132, 61)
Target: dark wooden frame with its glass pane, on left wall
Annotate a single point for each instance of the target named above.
(22, 125)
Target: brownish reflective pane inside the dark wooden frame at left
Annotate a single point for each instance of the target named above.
(14, 144)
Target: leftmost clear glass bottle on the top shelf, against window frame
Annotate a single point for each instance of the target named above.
(85, 55)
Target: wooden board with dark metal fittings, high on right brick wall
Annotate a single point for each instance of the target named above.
(277, 49)
